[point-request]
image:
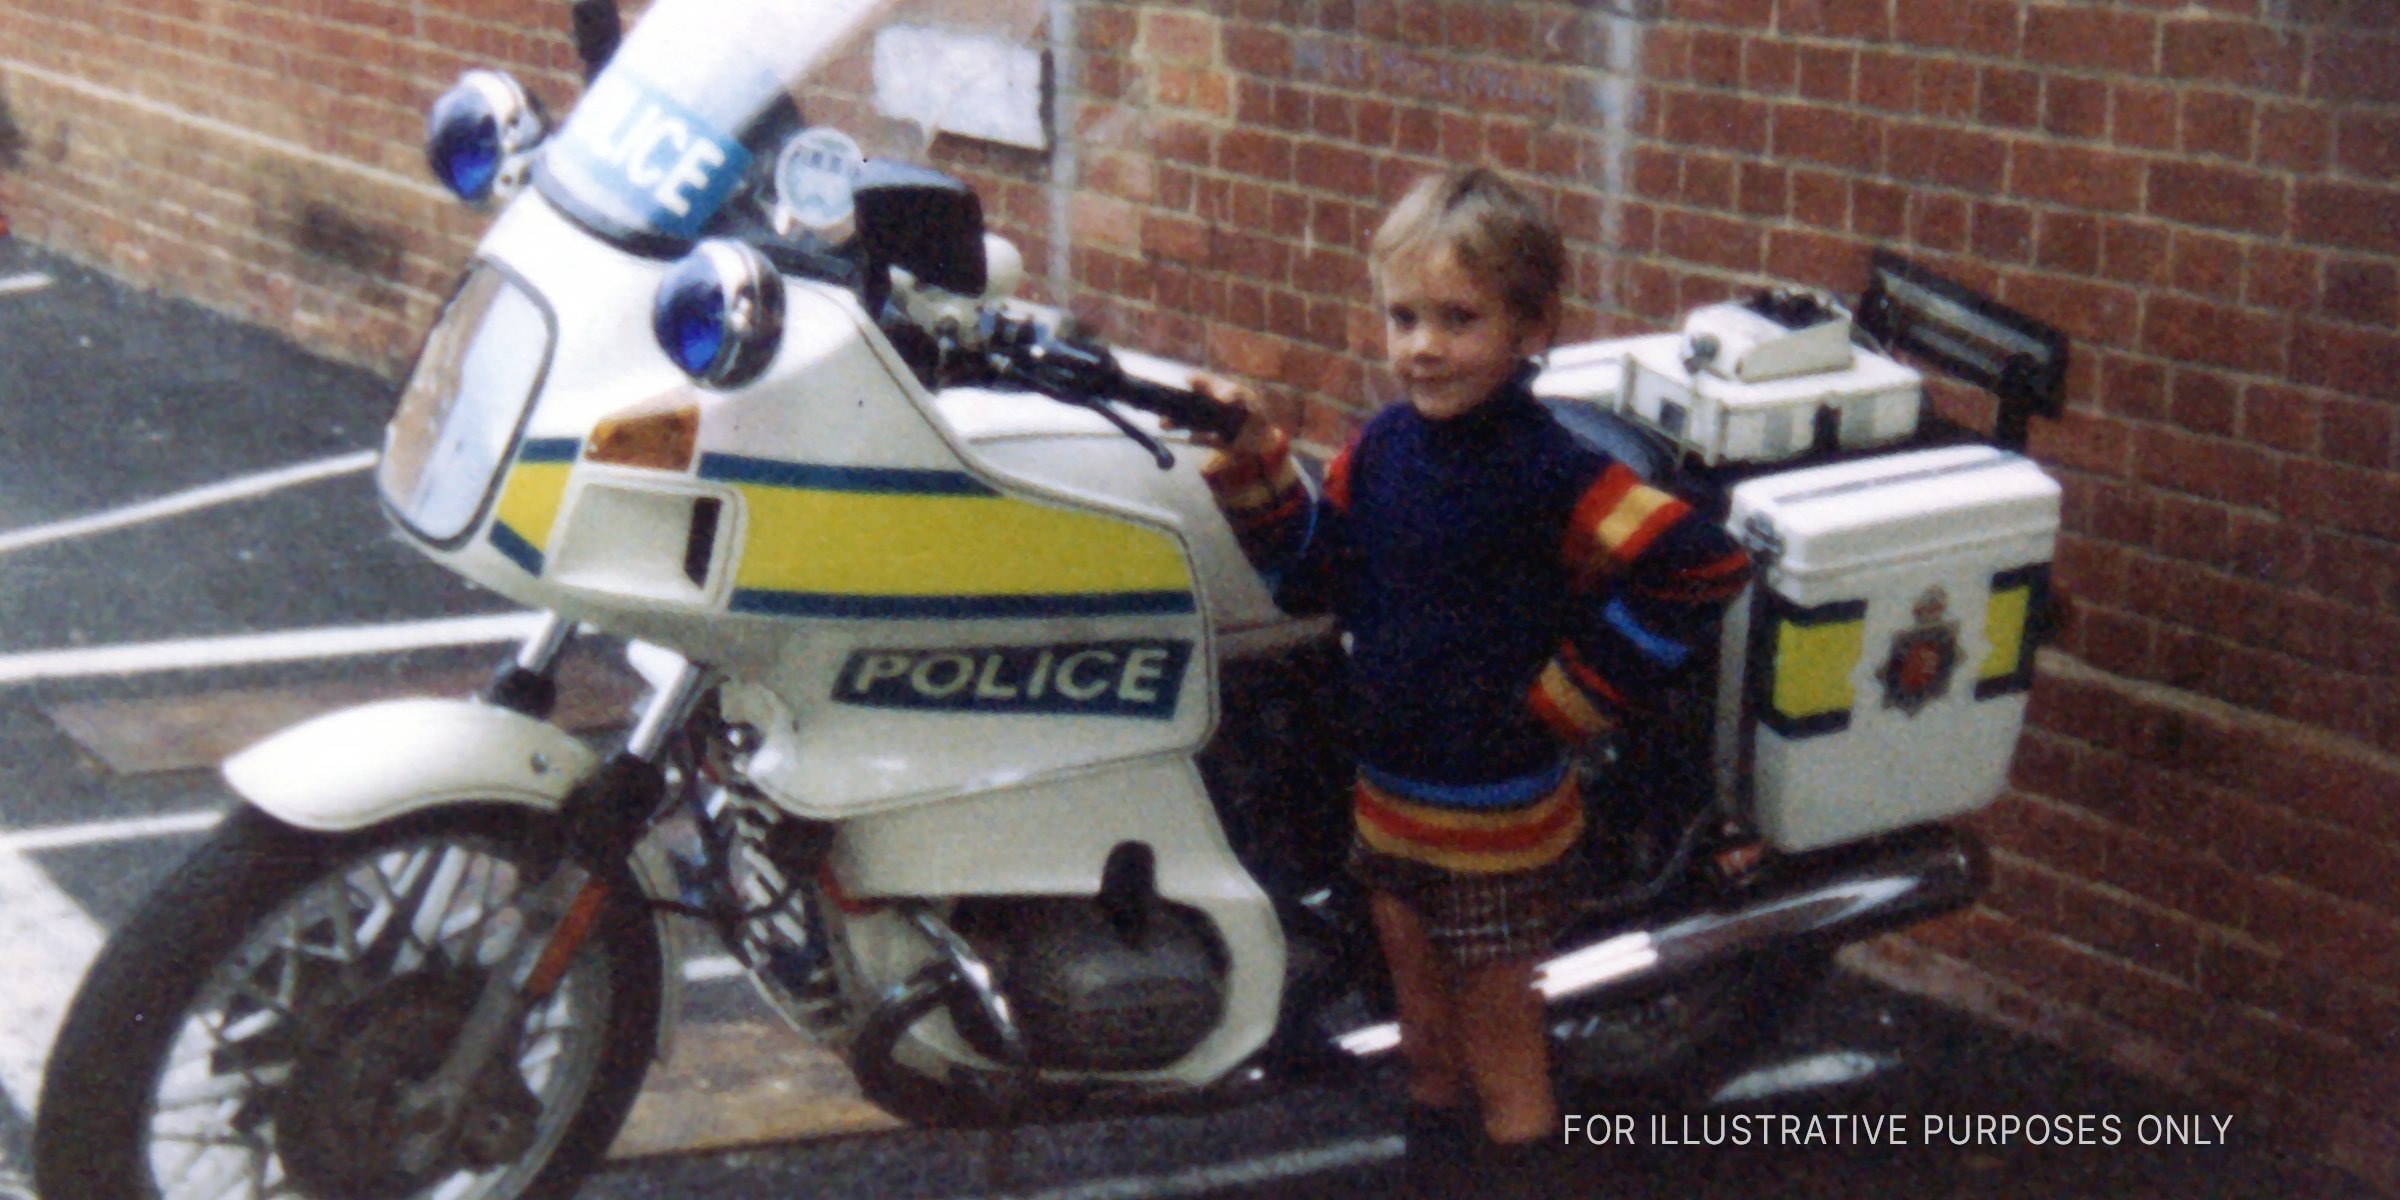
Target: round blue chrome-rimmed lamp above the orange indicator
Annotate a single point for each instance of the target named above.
(719, 313)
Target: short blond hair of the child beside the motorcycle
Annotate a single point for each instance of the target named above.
(1494, 229)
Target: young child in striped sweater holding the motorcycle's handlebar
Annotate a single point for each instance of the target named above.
(1506, 592)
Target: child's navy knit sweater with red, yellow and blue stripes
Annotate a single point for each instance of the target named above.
(1506, 592)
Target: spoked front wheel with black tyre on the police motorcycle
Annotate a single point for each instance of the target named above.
(296, 973)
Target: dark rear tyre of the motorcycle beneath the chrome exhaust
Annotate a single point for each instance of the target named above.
(1686, 1040)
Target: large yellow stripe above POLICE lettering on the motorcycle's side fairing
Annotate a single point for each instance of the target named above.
(880, 544)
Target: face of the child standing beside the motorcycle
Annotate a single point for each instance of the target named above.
(1448, 335)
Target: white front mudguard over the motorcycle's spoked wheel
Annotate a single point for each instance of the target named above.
(380, 762)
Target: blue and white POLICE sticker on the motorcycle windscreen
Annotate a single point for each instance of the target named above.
(649, 157)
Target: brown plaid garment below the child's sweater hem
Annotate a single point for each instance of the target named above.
(1470, 918)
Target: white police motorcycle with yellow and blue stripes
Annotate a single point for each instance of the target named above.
(995, 762)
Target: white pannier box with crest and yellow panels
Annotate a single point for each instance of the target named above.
(1888, 647)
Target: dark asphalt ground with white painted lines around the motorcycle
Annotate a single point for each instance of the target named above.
(114, 400)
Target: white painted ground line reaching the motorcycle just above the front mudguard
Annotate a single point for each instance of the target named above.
(256, 649)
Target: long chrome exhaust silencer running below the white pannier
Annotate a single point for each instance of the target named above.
(1808, 901)
